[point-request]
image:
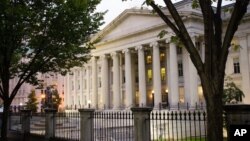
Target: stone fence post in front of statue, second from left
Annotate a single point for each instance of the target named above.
(50, 123)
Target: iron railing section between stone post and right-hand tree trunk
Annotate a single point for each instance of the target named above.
(178, 125)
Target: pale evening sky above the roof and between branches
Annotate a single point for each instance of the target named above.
(116, 7)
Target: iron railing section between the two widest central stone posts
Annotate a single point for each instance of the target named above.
(116, 125)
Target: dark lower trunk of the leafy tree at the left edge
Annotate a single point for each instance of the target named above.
(5, 120)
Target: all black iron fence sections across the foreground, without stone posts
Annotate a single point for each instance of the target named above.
(165, 125)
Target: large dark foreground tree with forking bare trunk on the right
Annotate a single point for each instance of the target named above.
(212, 70)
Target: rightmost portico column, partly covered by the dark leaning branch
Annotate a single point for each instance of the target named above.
(190, 79)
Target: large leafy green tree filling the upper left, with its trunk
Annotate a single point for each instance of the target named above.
(40, 36)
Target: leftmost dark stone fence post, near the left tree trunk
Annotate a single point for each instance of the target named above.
(25, 116)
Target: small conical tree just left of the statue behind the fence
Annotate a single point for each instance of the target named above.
(32, 103)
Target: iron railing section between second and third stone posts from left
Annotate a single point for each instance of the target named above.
(68, 126)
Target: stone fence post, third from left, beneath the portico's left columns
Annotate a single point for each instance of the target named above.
(86, 124)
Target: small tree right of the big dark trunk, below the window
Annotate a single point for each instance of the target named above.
(231, 93)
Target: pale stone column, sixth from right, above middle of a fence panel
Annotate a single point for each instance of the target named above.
(116, 81)
